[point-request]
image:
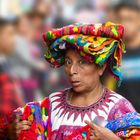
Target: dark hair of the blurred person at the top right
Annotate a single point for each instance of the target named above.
(131, 4)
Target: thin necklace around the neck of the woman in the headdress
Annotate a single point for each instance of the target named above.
(70, 97)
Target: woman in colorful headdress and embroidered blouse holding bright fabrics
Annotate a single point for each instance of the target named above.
(85, 51)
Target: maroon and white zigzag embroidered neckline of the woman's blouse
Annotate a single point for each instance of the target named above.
(64, 107)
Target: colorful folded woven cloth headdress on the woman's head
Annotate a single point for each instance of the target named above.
(99, 43)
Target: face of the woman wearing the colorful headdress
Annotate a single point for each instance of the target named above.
(83, 75)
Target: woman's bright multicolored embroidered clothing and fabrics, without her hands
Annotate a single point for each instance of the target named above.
(56, 119)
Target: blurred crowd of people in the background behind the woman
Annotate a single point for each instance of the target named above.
(24, 74)
